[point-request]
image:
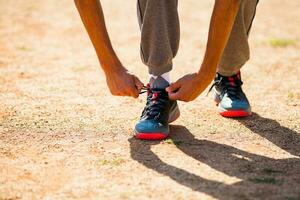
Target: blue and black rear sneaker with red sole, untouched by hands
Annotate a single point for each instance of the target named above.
(229, 96)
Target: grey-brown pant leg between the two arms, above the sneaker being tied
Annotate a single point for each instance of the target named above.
(160, 33)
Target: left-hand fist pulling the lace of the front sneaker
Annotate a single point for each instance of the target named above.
(123, 83)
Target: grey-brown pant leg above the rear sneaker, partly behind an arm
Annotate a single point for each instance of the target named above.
(237, 51)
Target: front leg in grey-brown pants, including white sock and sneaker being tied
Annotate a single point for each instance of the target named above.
(159, 25)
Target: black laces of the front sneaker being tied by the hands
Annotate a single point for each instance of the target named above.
(155, 102)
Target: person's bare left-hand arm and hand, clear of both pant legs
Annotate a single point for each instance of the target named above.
(119, 80)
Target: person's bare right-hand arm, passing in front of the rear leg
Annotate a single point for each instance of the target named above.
(191, 86)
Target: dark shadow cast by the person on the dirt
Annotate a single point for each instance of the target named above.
(262, 177)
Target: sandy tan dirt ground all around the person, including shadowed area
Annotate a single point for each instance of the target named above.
(63, 136)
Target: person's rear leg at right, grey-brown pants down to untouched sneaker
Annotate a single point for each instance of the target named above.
(229, 95)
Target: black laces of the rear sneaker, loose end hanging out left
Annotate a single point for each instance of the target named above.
(232, 88)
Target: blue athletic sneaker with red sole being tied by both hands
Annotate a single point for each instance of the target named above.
(158, 113)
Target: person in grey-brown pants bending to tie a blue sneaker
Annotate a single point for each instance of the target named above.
(226, 52)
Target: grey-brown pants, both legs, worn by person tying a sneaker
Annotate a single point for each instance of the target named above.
(160, 34)
